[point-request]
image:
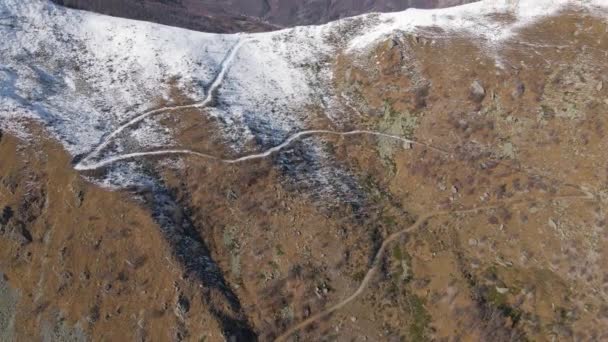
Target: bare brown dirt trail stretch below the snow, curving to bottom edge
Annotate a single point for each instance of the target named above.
(391, 238)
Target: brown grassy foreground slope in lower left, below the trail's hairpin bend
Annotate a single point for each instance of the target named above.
(78, 261)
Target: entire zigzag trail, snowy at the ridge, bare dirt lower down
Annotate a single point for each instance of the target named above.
(86, 165)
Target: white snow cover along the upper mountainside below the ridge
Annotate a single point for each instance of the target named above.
(89, 79)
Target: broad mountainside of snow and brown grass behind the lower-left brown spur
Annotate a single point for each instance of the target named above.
(422, 175)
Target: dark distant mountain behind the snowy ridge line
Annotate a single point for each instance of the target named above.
(247, 15)
